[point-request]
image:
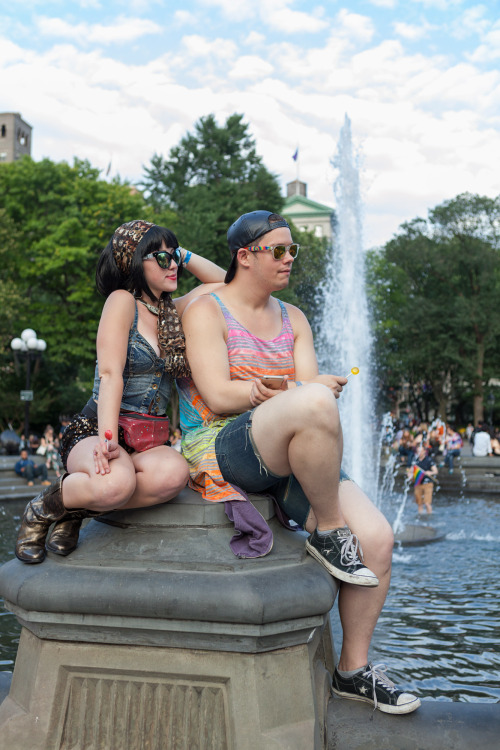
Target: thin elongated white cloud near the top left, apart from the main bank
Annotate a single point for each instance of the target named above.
(121, 30)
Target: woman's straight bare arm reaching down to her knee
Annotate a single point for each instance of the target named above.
(112, 343)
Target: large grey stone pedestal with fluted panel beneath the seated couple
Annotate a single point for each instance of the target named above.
(153, 636)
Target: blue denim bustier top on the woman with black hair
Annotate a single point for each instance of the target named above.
(146, 384)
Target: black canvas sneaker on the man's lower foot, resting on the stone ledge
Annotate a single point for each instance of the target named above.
(372, 685)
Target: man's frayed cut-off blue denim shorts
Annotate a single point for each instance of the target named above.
(241, 464)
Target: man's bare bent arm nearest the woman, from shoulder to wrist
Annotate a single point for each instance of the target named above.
(205, 331)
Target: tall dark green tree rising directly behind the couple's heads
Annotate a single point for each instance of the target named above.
(208, 180)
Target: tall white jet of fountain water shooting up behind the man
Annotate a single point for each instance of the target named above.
(344, 337)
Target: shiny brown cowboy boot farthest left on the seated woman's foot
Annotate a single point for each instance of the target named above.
(39, 514)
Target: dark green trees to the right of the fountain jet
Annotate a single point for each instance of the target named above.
(435, 290)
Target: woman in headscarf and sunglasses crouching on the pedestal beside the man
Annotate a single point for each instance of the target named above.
(140, 350)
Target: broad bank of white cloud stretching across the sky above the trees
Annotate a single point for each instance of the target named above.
(427, 127)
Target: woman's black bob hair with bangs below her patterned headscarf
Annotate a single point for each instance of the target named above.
(108, 276)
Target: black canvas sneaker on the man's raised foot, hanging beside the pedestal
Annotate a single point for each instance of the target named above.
(339, 552)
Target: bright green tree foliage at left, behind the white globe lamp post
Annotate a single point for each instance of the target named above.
(54, 221)
